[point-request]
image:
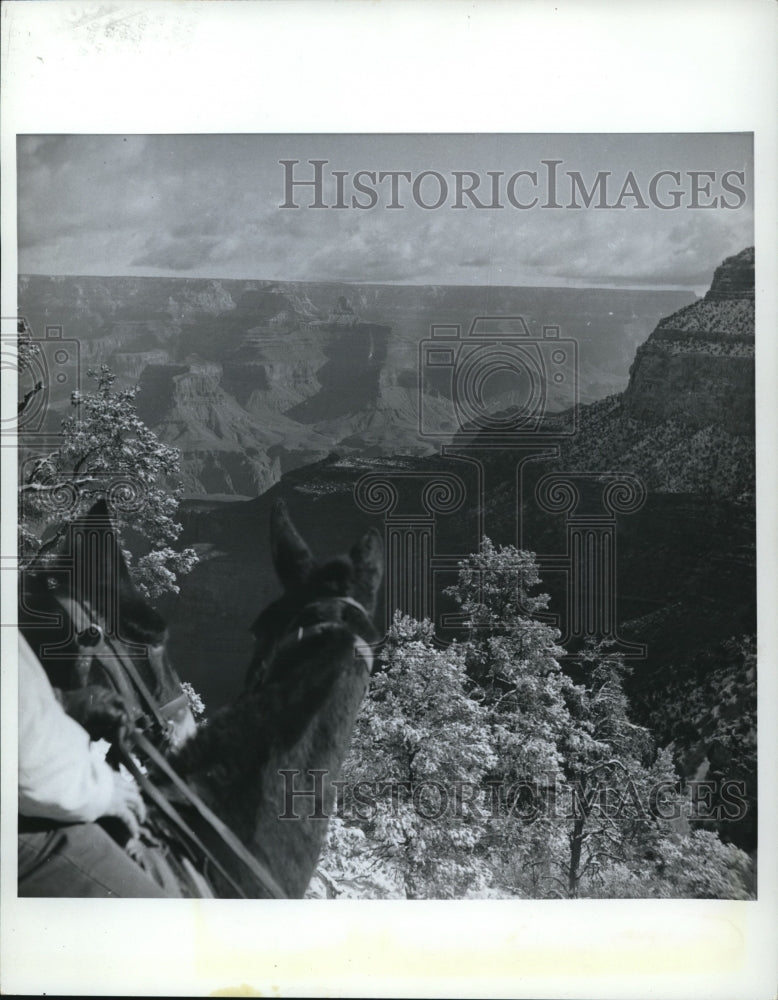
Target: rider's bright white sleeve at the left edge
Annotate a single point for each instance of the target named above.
(62, 775)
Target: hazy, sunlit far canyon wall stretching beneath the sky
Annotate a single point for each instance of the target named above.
(295, 369)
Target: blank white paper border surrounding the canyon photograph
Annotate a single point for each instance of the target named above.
(162, 66)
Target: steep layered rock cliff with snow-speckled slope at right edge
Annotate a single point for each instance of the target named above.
(685, 423)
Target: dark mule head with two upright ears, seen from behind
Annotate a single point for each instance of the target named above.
(314, 592)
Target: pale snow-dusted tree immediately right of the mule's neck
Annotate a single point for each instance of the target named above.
(412, 778)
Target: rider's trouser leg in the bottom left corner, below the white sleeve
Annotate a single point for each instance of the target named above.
(80, 859)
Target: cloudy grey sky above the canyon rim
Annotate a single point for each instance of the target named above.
(209, 206)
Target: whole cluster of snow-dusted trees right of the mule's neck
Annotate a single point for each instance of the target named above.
(561, 794)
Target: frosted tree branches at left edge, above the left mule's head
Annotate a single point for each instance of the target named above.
(107, 451)
